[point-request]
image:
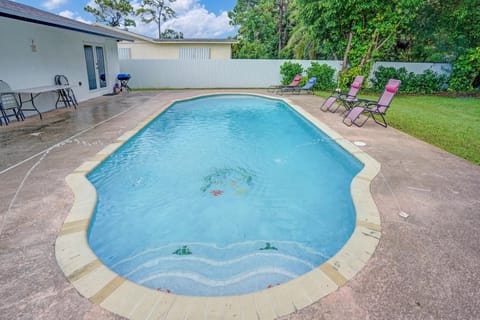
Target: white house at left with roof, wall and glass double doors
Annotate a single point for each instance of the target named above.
(37, 45)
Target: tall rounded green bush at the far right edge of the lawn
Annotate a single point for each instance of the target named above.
(466, 72)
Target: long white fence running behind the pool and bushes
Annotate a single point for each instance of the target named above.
(234, 73)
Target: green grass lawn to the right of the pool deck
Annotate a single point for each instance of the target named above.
(452, 124)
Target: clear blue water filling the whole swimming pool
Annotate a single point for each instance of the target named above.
(223, 195)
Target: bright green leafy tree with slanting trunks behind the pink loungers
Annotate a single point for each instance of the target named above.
(355, 31)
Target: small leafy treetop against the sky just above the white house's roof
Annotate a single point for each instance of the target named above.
(112, 12)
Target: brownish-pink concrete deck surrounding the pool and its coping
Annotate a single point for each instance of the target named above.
(425, 266)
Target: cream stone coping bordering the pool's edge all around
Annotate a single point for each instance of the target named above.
(96, 282)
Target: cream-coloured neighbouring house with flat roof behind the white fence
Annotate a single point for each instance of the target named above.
(185, 49)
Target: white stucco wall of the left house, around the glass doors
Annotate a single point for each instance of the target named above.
(58, 51)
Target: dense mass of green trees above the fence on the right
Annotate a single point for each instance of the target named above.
(355, 31)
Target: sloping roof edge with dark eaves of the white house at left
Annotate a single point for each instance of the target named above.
(18, 11)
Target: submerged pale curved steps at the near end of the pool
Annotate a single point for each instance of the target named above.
(209, 270)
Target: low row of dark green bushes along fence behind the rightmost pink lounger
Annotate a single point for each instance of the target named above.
(427, 82)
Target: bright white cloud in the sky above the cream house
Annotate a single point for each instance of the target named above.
(192, 19)
